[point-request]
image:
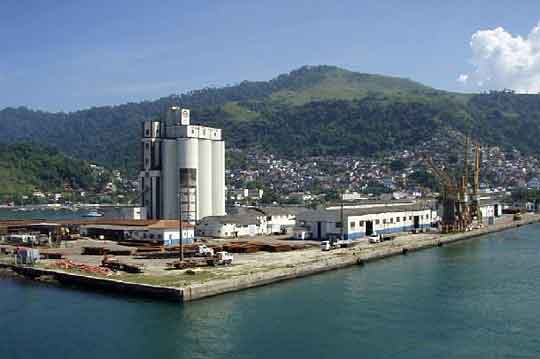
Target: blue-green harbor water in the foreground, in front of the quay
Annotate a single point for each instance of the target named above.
(476, 299)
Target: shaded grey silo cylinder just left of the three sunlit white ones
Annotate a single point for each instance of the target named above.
(169, 178)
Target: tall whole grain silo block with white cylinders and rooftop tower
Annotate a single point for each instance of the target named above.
(182, 163)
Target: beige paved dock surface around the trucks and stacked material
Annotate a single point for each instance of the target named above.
(256, 269)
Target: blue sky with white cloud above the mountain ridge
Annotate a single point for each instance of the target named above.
(67, 55)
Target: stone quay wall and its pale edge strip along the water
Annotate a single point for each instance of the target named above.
(313, 263)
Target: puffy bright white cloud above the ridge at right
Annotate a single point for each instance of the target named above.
(504, 61)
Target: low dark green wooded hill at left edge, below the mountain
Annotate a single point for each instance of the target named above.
(25, 168)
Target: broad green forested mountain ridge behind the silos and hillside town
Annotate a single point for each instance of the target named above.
(310, 111)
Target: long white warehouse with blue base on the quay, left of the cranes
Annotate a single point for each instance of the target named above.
(355, 223)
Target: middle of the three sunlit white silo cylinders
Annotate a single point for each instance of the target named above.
(205, 178)
